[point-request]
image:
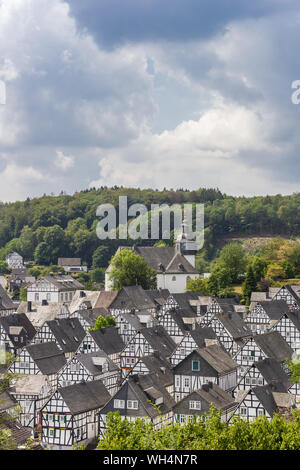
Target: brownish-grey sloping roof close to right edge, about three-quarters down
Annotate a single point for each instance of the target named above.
(274, 345)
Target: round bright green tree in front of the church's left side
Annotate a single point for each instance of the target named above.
(130, 269)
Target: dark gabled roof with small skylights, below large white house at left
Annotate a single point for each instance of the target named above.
(68, 332)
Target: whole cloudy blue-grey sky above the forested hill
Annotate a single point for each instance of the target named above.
(150, 94)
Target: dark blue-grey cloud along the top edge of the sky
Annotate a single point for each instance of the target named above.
(114, 22)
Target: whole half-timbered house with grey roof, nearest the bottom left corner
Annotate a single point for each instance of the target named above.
(71, 415)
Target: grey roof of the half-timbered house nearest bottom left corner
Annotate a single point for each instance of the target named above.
(85, 396)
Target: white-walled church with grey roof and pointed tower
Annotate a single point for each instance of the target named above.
(174, 265)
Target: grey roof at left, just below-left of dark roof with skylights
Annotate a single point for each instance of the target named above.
(47, 356)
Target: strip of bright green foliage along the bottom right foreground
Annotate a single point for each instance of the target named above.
(205, 432)
